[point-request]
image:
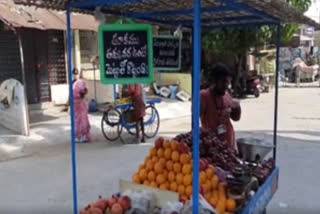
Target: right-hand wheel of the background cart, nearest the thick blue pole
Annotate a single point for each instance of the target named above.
(151, 122)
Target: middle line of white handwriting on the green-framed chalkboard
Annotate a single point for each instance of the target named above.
(127, 52)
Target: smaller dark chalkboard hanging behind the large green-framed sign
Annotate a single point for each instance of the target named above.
(167, 53)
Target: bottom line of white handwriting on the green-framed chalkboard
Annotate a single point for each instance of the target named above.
(126, 68)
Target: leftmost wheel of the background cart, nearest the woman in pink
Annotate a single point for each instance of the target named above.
(110, 124)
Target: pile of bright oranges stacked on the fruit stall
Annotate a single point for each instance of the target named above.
(167, 168)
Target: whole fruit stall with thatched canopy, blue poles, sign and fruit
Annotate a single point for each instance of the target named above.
(193, 172)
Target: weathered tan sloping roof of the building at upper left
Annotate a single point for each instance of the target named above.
(18, 16)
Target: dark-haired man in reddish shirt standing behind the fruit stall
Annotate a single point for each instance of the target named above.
(217, 106)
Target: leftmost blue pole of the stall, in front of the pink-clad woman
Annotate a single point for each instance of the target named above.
(73, 145)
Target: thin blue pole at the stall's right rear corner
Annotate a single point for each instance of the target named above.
(275, 129)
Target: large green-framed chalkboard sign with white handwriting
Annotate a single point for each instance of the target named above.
(126, 53)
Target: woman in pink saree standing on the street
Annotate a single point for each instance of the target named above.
(82, 125)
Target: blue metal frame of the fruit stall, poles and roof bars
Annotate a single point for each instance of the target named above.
(256, 18)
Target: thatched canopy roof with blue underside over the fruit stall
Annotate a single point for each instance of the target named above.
(215, 13)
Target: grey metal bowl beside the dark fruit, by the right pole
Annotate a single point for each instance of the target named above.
(252, 149)
